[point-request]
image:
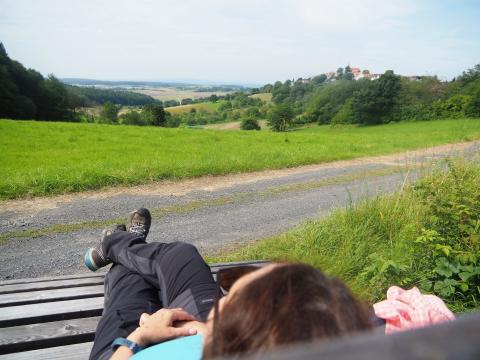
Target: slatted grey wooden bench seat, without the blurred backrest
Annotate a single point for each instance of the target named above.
(55, 317)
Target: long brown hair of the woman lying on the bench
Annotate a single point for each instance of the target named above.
(290, 303)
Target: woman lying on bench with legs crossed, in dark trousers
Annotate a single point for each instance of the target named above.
(161, 301)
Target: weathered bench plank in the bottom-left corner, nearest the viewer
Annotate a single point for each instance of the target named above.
(70, 352)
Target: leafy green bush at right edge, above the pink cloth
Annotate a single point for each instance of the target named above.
(449, 246)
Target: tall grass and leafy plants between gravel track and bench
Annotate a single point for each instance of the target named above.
(427, 235)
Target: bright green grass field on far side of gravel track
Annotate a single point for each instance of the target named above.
(43, 158)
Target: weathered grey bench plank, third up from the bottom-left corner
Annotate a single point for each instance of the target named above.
(52, 311)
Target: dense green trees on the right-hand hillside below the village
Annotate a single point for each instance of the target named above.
(391, 97)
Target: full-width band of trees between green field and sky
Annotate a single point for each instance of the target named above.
(26, 94)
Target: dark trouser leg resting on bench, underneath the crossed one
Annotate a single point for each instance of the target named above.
(127, 296)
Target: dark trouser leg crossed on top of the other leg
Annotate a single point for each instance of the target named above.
(176, 270)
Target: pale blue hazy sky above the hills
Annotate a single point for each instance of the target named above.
(239, 41)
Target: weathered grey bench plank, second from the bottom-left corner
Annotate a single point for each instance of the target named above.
(35, 336)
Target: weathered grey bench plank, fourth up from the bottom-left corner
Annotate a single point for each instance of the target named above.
(39, 296)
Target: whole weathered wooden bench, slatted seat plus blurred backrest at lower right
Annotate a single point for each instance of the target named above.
(56, 318)
